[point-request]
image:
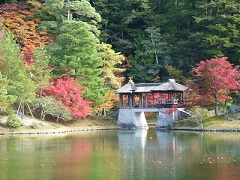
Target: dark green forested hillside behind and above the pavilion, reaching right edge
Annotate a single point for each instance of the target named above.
(179, 33)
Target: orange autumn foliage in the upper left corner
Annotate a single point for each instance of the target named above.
(19, 19)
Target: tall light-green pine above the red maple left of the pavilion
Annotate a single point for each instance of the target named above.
(75, 51)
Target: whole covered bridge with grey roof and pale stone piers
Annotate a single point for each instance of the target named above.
(164, 98)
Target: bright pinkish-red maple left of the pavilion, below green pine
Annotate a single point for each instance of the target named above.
(66, 90)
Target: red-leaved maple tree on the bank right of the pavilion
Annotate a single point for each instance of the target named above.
(216, 80)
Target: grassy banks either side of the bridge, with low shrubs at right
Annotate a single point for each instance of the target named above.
(33, 125)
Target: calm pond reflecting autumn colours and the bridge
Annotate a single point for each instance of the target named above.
(128, 154)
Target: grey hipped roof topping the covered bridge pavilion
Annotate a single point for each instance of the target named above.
(150, 87)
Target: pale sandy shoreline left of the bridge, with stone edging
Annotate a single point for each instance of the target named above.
(35, 126)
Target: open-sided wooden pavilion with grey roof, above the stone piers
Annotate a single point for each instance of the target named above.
(150, 95)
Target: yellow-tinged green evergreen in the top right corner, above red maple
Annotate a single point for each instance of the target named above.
(219, 21)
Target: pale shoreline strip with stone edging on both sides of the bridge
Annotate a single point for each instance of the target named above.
(40, 127)
